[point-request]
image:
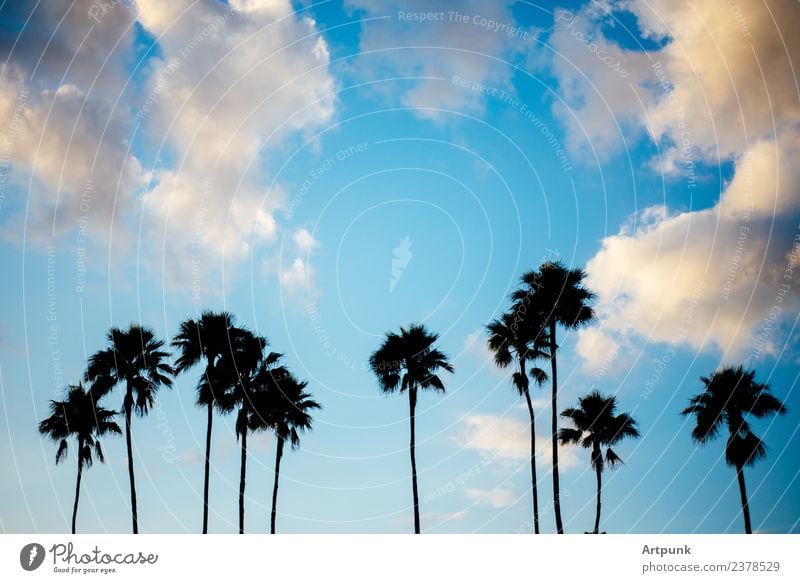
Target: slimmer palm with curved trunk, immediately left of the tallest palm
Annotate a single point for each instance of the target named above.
(511, 342)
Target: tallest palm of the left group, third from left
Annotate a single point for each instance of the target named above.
(206, 339)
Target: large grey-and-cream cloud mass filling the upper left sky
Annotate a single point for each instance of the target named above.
(229, 81)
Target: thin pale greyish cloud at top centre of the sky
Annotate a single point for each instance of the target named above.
(433, 42)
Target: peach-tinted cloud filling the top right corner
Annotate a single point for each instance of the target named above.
(730, 70)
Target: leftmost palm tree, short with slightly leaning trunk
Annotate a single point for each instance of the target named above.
(78, 416)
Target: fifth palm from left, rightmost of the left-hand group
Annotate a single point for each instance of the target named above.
(285, 409)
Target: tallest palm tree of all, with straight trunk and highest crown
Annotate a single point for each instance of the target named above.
(554, 295)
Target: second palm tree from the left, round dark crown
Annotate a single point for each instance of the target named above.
(134, 358)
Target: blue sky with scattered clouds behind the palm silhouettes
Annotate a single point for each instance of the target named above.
(330, 171)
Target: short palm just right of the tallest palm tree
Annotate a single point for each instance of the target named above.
(596, 426)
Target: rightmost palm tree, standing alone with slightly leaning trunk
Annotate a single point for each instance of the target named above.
(729, 396)
